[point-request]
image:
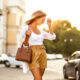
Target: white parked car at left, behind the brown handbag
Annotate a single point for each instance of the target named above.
(10, 60)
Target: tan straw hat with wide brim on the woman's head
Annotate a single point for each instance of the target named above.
(35, 15)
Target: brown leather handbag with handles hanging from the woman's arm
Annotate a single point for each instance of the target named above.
(24, 54)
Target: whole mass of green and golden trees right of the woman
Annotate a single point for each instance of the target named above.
(67, 39)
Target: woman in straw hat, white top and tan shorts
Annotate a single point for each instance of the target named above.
(36, 37)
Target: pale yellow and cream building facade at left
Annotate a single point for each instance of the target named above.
(11, 21)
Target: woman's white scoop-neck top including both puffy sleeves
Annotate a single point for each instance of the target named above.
(36, 39)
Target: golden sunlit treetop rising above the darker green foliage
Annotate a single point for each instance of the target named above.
(61, 25)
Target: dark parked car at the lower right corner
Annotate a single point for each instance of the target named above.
(72, 67)
